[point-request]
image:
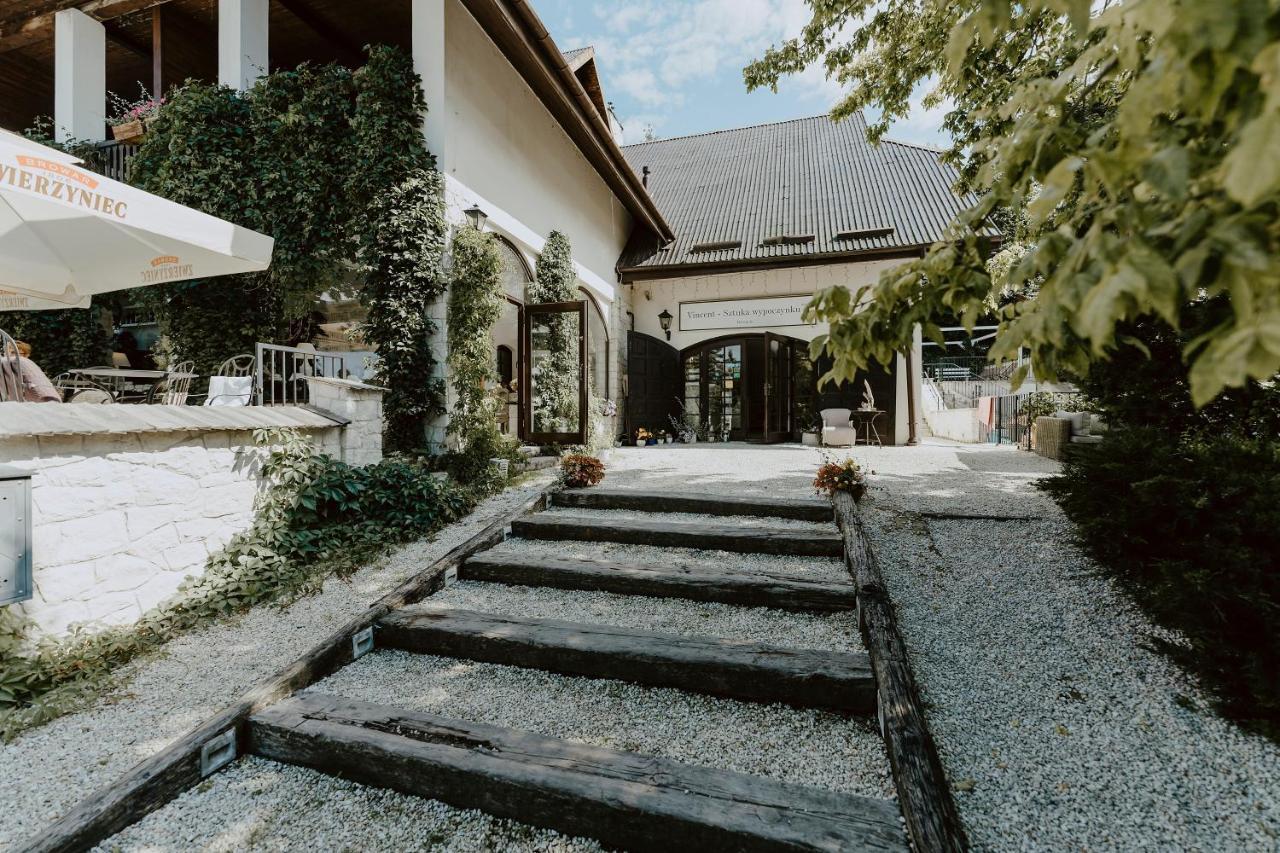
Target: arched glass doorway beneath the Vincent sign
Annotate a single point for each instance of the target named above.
(748, 387)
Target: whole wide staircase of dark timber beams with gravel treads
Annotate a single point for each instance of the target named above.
(605, 586)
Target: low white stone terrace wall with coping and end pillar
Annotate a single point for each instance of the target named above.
(129, 501)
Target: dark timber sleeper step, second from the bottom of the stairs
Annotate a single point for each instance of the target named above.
(749, 672)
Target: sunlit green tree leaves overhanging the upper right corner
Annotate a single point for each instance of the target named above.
(1135, 144)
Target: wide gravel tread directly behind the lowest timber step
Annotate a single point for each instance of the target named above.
(798, 746)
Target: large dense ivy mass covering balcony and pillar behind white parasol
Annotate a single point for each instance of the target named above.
(333, 166)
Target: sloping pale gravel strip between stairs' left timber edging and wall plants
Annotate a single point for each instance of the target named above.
(49, 769)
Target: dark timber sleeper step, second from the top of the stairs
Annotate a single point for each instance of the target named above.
(682, 535)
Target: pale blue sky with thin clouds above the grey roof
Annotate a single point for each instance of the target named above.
(678, 65)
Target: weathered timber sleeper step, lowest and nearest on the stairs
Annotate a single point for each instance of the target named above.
(624, 800)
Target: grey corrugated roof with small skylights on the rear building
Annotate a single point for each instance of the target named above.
(798, 189)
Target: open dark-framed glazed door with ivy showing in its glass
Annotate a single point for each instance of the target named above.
(556, 373)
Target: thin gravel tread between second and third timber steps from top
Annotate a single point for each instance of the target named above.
(813, 568)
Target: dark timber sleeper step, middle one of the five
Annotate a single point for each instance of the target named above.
(707, 582)
